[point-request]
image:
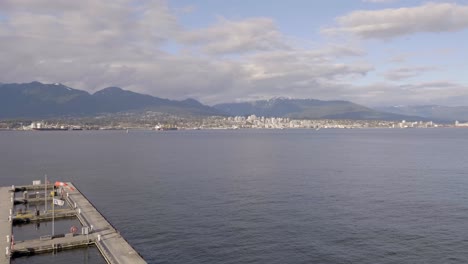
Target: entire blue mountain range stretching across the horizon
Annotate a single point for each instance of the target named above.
(39, 100)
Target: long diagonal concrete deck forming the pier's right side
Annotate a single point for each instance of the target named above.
(112, 245)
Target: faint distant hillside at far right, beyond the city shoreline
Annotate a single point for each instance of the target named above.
(434, 112)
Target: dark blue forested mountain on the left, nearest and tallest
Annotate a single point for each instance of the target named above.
(38, 100)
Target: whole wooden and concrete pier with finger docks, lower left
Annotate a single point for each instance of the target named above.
(96, 229)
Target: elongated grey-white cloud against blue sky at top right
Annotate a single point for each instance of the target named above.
(391, 23)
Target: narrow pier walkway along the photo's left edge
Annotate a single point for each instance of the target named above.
(5, 225)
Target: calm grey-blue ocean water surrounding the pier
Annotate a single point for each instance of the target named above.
(257, 196)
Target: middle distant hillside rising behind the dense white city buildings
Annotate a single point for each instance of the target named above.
(309, 109)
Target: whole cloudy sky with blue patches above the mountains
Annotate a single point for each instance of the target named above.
(372, 52)
